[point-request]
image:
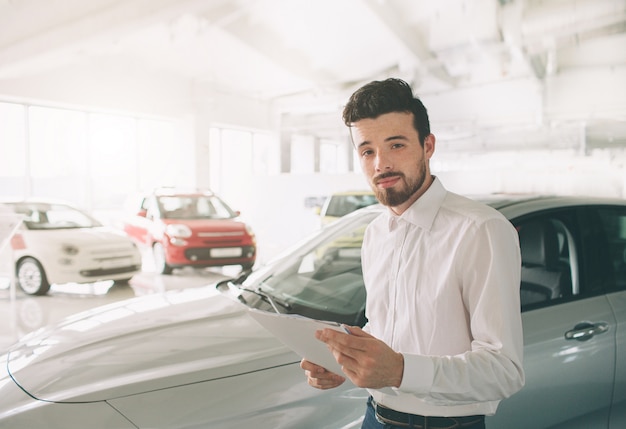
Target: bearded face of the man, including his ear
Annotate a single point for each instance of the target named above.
(393, 159)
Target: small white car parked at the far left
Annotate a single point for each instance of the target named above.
(57, 244)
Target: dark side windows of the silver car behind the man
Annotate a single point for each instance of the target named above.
(571, 253)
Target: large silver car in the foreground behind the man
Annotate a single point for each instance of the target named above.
(196, 359)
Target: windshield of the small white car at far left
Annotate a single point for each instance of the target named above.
(53, 216)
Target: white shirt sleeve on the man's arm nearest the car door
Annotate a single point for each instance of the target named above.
(488, 270)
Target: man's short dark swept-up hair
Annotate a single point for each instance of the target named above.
(391, 95)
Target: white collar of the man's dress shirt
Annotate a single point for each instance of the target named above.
(423, 211)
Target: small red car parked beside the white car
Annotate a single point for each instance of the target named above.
(191, 229)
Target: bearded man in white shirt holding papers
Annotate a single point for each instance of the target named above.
(443, 342)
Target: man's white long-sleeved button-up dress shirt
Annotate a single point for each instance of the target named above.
(442, 286)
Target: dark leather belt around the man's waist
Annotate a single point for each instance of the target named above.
(397, 418)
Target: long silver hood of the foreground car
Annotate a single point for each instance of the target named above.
(144, 344)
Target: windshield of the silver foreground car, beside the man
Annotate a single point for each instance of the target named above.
(320, 278)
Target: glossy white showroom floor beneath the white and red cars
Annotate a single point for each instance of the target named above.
(23, 313)
